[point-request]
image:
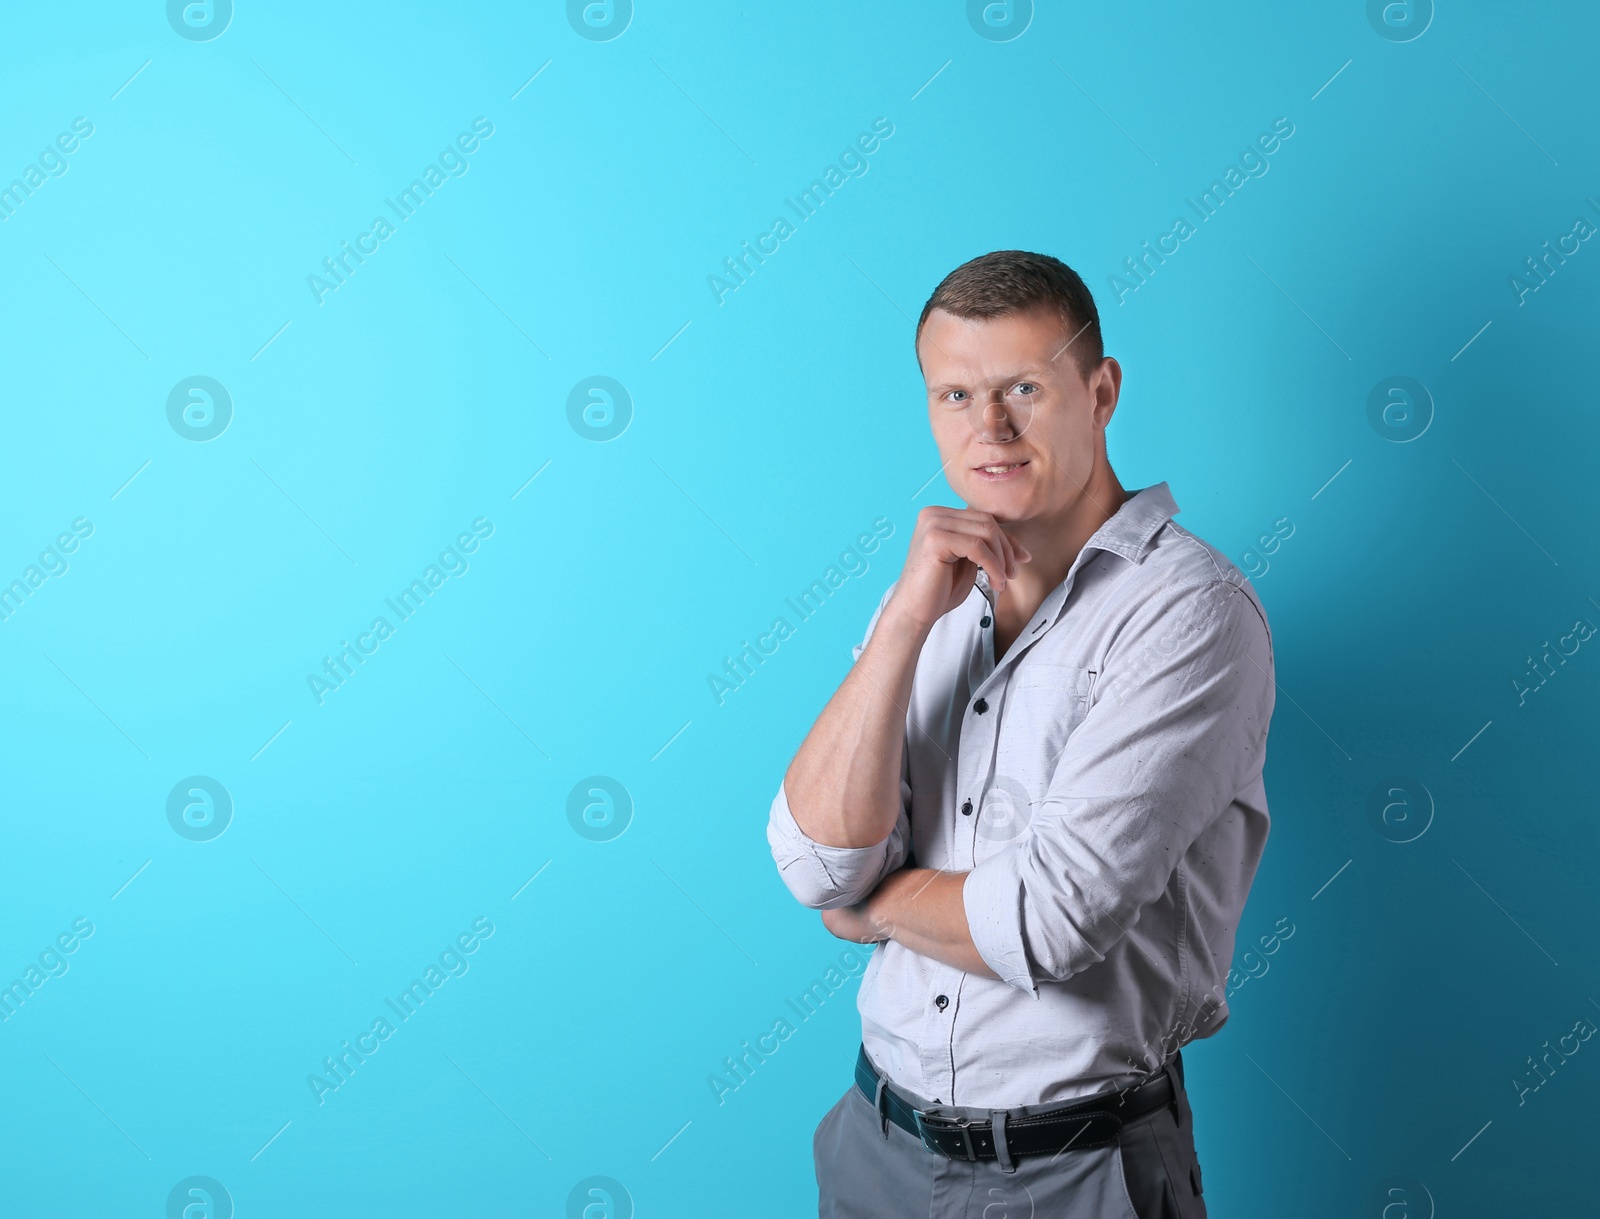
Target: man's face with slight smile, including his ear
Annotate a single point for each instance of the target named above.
(1018, 426)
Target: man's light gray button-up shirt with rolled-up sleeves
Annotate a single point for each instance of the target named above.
(1102, 786)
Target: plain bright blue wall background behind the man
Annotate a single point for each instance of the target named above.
(767, 433)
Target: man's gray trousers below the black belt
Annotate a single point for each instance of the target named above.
(1148, 1173)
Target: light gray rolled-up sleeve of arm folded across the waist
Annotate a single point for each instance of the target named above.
(1177, 729)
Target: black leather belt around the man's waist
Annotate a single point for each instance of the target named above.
(1092, 1122)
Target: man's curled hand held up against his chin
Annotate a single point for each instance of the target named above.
(942, 562)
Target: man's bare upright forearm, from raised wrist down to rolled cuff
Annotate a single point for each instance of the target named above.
(844, 783)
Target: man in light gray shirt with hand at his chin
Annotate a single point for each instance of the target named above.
(1039, 789)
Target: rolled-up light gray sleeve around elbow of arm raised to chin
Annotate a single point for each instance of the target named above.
(826, 877)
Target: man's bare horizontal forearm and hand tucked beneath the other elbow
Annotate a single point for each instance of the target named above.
(921, 909)
